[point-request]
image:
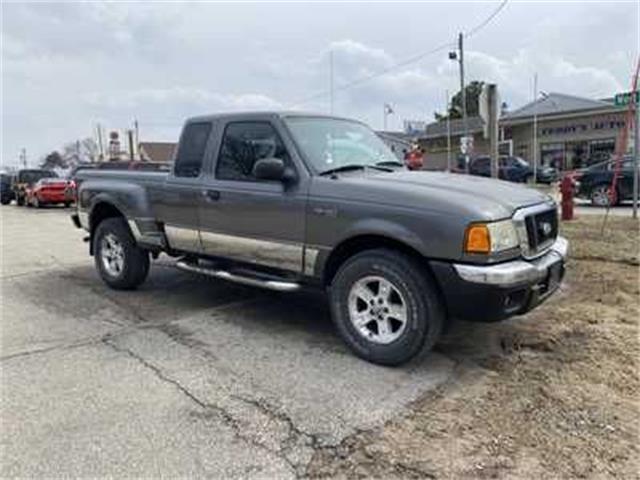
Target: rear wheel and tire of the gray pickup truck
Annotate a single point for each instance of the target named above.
(122, 265)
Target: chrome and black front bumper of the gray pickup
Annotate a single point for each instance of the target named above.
(495, 292)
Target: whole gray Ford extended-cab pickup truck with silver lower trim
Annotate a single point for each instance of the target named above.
(288, 200)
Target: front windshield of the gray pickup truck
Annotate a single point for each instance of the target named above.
(331, 144)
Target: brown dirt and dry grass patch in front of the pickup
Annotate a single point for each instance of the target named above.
(554, 394)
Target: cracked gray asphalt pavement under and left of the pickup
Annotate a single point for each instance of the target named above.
(184, 377)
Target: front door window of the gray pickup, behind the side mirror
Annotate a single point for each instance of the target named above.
(243, 144)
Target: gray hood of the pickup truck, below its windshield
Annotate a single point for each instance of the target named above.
(483, 198)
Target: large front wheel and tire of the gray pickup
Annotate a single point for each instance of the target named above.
(424, 316)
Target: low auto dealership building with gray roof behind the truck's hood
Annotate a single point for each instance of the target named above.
(572, 132)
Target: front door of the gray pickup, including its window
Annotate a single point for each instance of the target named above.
(247, 219)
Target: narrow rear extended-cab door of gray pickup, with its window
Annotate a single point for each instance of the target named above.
(177, 203)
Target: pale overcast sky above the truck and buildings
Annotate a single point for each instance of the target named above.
(68, 66)
